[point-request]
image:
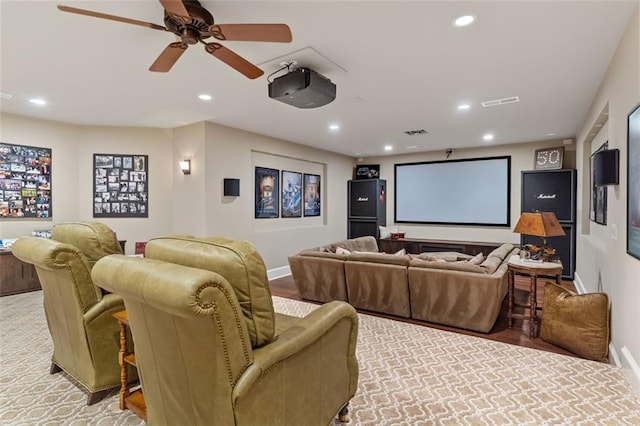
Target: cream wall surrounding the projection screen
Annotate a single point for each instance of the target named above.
(522, 156)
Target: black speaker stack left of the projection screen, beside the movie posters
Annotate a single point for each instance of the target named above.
(367, 207)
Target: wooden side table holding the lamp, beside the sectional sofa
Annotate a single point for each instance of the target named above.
(533, 270)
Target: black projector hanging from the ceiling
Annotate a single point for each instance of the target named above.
(303, 88)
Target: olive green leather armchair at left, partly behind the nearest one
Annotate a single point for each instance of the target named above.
(79, 316)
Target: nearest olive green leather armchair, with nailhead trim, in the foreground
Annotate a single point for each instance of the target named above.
(211, 350)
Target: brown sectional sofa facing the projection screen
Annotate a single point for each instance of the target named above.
(447, 288)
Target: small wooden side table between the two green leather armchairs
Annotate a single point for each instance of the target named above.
(134, 401)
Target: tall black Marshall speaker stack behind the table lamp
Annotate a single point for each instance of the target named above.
(553, 191)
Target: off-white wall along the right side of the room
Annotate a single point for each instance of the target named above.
(601, 253)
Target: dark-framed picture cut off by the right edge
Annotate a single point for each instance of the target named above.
(633, 182)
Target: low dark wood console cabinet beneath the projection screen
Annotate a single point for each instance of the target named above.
(415, 245)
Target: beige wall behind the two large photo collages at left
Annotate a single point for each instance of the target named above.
(72, 173)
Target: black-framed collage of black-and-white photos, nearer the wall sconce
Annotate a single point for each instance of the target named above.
(120, 185)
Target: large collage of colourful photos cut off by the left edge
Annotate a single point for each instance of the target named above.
(25, 182)
